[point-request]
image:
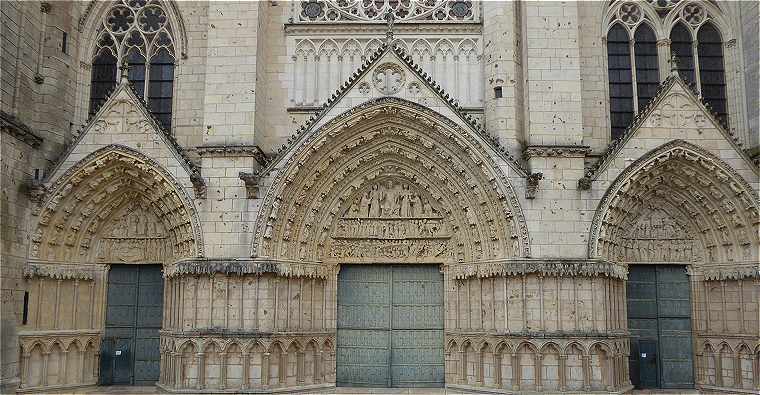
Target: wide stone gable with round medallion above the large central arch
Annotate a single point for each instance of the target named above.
(391, 72)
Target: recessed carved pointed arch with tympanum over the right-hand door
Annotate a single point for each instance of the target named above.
(680, 204)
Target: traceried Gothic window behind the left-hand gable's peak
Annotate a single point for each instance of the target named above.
(136, 34)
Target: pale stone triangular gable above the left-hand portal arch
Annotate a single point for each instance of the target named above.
(125, 120)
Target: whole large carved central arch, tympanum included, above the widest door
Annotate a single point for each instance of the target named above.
(390, 181)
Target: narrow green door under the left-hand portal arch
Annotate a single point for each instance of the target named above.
(130, 352)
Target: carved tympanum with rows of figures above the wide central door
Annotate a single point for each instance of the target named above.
(391, 220)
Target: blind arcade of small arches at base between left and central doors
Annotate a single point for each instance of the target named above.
(262, 363)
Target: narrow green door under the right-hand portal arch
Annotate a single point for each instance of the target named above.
(659, 318)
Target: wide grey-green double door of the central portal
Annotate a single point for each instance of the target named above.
(390, 326)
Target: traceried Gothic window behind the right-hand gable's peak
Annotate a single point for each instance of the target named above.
(657, 30)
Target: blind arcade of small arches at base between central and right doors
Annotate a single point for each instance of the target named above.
(533, 365)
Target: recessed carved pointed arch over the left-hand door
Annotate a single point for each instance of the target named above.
(89, 198)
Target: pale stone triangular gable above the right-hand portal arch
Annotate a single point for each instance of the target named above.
(676, 112)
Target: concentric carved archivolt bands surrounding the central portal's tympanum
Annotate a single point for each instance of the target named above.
(356, 142)
